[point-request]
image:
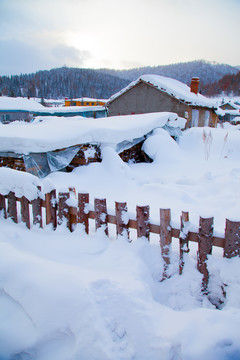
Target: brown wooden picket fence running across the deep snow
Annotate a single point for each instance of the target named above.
(58, 210)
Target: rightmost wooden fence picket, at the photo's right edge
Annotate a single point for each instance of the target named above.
(232, 239)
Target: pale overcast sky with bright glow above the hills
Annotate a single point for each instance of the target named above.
(44, 34)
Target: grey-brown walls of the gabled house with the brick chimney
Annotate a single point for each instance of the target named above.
(143, 98)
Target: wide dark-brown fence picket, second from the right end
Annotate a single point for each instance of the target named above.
(205, 243)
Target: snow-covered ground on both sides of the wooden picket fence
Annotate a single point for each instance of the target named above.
(75, 296)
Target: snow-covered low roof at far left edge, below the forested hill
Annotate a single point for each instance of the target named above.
(18, 103)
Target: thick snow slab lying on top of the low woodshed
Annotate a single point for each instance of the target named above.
(51, 132)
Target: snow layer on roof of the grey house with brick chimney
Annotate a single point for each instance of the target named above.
(172, 87)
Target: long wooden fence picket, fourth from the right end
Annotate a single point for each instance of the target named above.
(165, 238)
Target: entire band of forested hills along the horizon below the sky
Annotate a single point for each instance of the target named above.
(75, 83)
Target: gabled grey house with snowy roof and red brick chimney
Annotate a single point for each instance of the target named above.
(154, 93)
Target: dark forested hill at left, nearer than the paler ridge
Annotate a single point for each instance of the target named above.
(62, 82)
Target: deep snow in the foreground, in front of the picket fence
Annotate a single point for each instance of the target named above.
(71, 296)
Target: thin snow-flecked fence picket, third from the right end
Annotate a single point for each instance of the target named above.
(183, 240)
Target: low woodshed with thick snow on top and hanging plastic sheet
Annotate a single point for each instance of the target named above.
(52, 144)
